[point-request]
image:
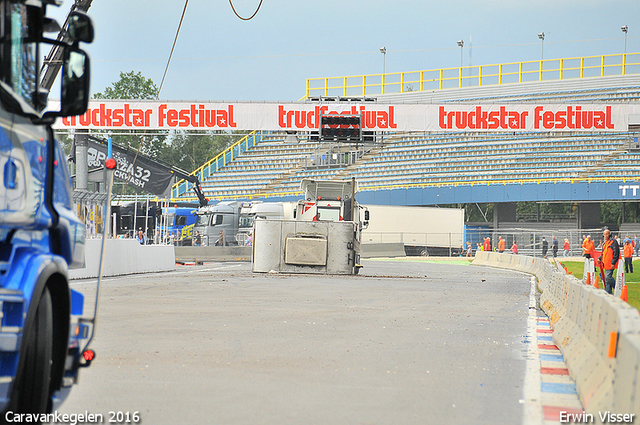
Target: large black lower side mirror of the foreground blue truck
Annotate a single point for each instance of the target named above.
(75, 83)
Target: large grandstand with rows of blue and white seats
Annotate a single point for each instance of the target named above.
(276, 162)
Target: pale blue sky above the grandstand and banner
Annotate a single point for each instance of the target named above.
(219, 57)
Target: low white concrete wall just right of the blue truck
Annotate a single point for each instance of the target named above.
(124, 256)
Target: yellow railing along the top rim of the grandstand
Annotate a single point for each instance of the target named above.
(475, 76)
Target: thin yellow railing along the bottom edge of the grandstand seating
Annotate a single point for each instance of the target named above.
(424, 185)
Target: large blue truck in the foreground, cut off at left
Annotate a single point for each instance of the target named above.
(43, 338)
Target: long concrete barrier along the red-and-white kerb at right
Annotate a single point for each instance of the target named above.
(598, 334)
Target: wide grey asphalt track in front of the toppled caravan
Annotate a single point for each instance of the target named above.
(402, 343)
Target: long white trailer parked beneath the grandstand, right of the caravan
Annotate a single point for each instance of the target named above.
(422, 230)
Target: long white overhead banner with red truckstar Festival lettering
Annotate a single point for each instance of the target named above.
(304, 116)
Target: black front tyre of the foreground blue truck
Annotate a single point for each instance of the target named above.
(33, 384)
